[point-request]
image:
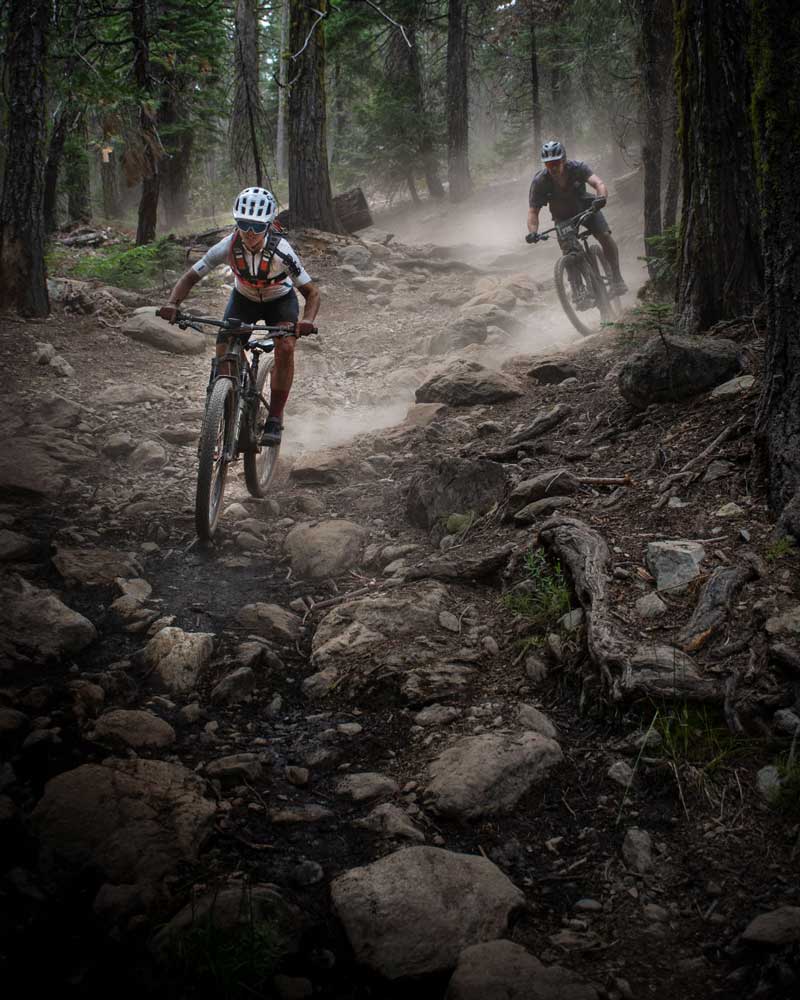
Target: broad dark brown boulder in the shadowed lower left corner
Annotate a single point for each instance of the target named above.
(133, 820)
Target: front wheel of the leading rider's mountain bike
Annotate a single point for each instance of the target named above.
(212, 465)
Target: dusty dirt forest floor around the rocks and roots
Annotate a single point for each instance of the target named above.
(720, 856)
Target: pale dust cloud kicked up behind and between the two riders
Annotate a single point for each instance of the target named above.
(487, 232)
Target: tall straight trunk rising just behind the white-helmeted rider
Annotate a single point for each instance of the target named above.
(310, 201)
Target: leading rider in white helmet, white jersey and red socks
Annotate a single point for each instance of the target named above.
(266, 271)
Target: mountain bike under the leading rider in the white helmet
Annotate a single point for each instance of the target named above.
(237, 405)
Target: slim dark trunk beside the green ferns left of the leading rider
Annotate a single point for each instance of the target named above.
(148, 204)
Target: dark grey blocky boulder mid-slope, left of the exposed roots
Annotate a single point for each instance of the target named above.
(454, 486)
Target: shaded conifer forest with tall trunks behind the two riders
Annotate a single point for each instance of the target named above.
(151, 114)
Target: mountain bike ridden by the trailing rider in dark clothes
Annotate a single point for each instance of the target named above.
(582, 274)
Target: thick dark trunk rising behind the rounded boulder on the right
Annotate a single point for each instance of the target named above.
(720, 273)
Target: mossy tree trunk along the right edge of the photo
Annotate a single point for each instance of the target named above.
(777, 132)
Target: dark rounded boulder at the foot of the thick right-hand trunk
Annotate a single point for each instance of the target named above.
(673, 368)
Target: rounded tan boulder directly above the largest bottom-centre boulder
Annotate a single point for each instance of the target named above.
(488, 774)
